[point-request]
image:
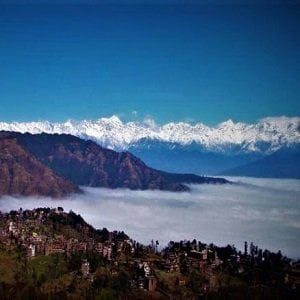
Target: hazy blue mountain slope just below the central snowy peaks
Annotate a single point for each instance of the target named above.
(191, 158)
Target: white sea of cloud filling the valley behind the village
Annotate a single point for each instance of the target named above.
(265, 211)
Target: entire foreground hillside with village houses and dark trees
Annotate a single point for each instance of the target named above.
(47, 253)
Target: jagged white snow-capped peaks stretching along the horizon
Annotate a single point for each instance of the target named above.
(267, 135)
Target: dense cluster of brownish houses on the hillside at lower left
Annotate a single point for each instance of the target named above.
(26, 228)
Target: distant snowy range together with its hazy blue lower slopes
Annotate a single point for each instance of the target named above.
(185, 147)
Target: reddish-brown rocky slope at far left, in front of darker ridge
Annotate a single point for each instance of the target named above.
(22, 174)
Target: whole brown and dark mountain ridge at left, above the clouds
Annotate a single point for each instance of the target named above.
(58, 161)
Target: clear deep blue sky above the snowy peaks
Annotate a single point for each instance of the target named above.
(201, 62)
